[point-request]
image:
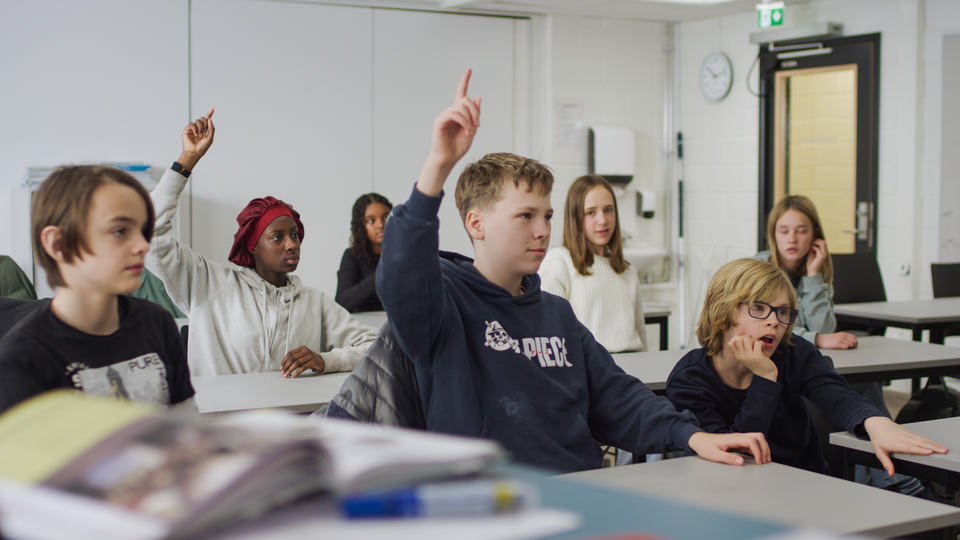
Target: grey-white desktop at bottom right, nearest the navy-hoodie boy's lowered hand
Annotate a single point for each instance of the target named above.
(777, 493)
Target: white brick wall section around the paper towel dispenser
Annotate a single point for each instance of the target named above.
(615, 70)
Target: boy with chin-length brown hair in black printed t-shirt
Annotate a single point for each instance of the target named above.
(91, 229)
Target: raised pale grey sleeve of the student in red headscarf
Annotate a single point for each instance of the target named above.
(188, 278)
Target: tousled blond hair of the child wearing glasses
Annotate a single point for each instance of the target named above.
(743, 280)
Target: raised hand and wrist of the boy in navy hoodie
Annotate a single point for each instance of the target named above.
(453, 132)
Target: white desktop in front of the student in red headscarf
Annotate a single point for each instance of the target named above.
(249, 391)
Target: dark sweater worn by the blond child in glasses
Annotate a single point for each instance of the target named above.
(772, 408)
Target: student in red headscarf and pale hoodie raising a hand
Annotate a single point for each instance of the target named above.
(255, 317)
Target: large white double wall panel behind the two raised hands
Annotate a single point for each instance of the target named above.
(318, 104)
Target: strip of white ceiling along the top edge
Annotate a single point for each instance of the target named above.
(670, 10)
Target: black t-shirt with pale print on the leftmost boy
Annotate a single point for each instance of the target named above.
(144, 360)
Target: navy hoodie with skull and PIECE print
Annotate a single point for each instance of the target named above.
(521, 370)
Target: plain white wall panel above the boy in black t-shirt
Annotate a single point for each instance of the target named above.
(101, 80)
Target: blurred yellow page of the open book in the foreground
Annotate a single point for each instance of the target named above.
(42, 435)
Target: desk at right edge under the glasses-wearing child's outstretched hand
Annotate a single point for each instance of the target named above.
(944, 468)
